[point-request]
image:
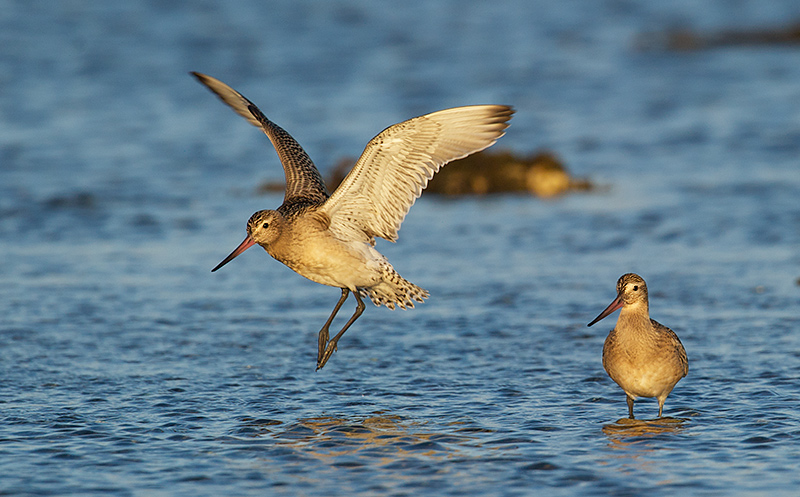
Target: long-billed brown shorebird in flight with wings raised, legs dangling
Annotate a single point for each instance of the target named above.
(330, 239)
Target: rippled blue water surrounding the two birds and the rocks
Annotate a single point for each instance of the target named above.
(127, 368)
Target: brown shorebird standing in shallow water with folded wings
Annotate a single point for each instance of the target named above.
(642, 356)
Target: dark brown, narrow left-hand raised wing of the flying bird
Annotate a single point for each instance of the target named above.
(303, 181)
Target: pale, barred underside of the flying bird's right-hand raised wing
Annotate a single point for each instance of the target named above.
(397, 164)
